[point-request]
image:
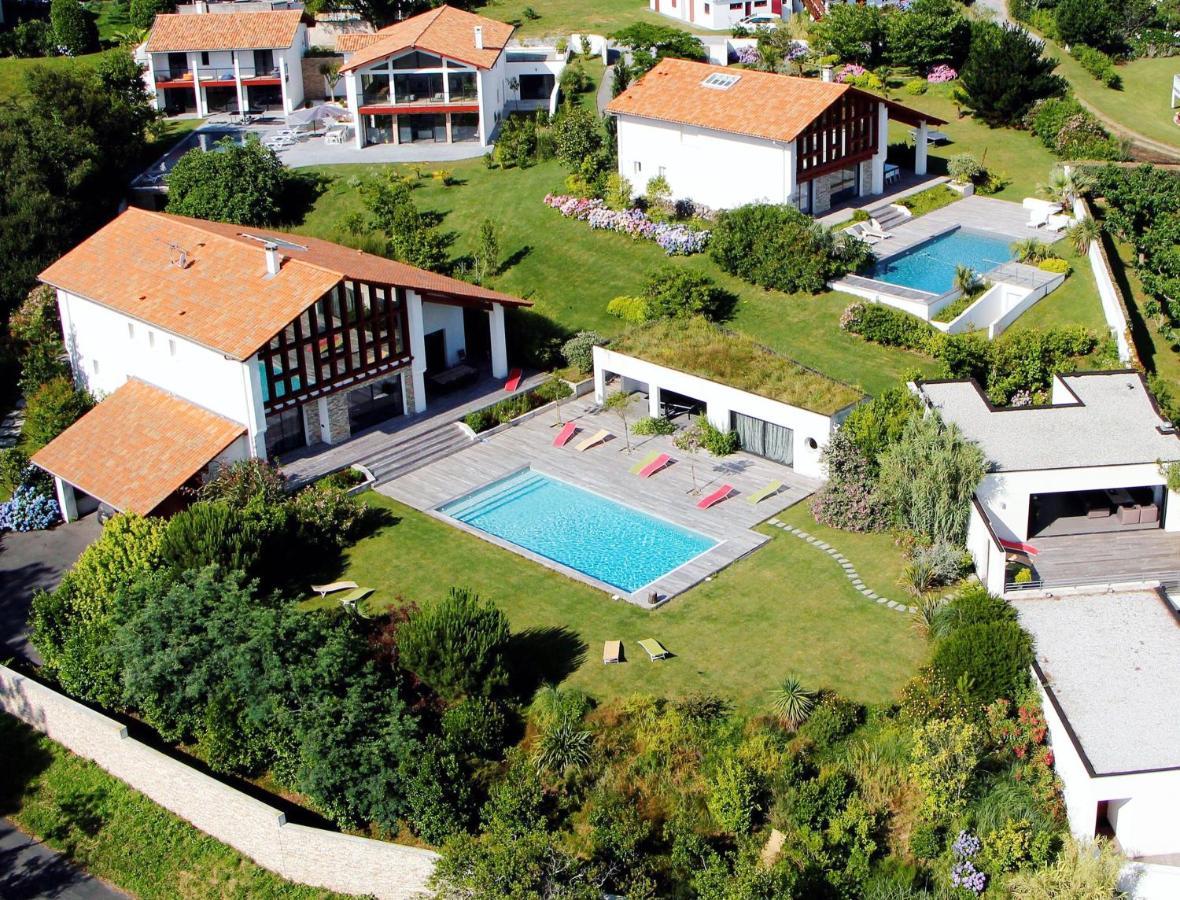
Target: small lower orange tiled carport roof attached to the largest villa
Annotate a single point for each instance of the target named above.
(137, 448)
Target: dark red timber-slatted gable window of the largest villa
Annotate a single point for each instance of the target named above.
(355, 330)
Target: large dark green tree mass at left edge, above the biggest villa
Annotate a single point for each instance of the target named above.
(67, 147)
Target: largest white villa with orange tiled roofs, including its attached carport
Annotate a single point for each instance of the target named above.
(213, 343)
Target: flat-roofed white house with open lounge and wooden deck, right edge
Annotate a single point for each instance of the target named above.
(1080, 484)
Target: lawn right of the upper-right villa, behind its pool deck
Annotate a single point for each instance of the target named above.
(1019, 156)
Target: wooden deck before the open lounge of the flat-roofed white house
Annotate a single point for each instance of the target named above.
(1110, 559)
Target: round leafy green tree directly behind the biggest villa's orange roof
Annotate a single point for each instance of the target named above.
(241, 183)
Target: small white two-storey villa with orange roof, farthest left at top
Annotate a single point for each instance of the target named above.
(202, 62)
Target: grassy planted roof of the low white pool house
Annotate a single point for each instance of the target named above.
(702, 349)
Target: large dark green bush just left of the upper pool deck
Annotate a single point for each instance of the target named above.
(779, 247)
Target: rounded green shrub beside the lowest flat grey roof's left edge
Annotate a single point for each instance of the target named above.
(992, 659)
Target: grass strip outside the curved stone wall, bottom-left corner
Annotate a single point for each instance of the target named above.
(117, 833)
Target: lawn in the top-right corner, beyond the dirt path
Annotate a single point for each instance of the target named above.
(1140, 106)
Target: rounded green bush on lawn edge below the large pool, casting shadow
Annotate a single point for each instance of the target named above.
(457, 646)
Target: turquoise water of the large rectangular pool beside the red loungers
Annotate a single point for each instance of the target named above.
(607, 541)
